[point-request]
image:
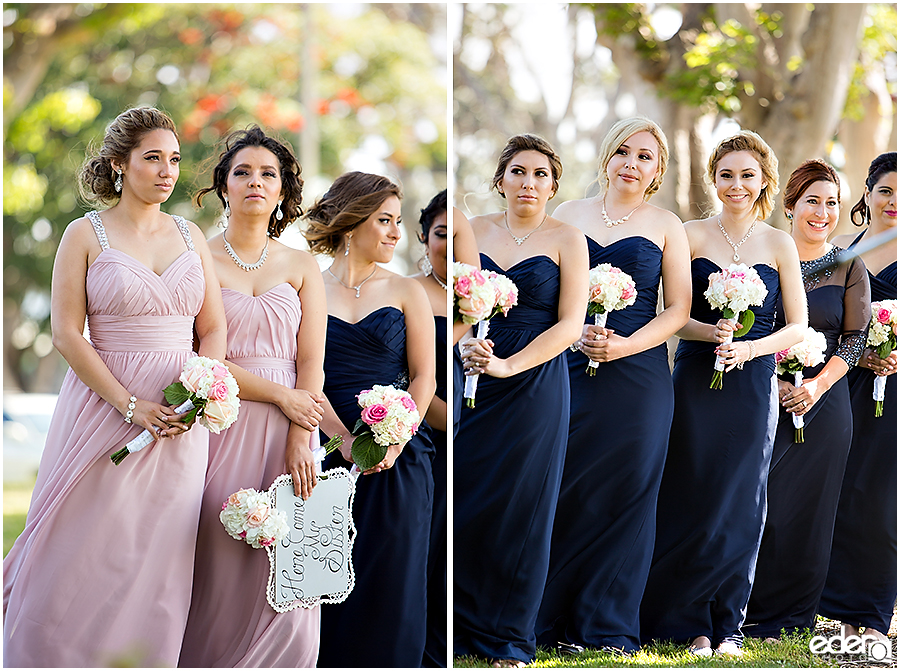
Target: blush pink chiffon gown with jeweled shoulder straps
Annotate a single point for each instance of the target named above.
(101, 575)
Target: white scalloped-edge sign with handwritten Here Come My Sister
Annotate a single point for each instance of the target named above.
(313, 564)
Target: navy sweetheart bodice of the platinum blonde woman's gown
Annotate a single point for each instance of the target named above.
(640, 258)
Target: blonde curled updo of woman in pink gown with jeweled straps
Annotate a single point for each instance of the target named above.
(96, 177)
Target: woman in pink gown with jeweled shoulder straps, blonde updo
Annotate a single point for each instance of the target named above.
(101, 575)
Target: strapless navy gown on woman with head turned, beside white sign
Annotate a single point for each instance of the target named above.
(382, 622)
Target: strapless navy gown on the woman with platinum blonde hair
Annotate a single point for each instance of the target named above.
(618, 434)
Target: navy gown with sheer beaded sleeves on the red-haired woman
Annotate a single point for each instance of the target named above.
(805, 478)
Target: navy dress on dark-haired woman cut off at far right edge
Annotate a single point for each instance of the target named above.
(861, 586)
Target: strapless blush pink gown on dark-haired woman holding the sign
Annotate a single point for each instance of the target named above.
(231, 624)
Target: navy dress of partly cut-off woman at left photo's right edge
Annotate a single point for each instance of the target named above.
(436, 636)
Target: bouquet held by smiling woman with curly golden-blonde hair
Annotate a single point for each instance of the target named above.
(733, 291)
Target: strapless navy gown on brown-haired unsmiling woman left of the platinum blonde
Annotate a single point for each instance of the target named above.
(508, 462)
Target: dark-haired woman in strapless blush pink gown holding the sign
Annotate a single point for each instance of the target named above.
(275, 351)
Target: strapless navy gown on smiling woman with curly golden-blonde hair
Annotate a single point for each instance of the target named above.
(712, 499)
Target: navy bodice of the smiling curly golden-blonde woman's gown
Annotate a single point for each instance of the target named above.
(701, 269)
